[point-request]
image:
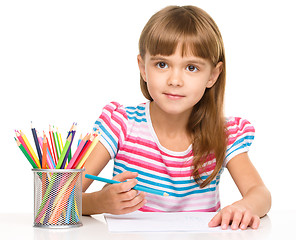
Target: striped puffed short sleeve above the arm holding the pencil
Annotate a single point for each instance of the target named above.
(112, 126)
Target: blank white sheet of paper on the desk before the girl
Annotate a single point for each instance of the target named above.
(161, 222)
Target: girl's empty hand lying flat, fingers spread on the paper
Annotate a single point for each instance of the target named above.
(236, 215)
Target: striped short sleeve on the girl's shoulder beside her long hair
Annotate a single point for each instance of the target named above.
(241, 135)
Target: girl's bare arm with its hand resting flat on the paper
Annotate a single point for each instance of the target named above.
(256, 200)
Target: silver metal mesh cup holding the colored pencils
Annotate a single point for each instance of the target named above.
(57, 198)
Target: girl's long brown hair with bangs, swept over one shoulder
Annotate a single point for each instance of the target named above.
(199, 35)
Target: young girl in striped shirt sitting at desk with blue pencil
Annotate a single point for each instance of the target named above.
(179, 141)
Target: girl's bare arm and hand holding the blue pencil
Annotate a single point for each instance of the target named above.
(113, 198)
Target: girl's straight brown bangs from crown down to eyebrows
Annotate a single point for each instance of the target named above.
(180, 26)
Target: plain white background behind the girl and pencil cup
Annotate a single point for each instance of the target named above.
(62, 61)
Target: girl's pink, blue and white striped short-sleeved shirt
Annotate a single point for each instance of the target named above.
(129, 137)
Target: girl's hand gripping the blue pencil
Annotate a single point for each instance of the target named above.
(121, 198)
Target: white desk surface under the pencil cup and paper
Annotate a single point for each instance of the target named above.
(276, 225)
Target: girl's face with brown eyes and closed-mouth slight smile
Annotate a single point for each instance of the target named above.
(176, 83)
